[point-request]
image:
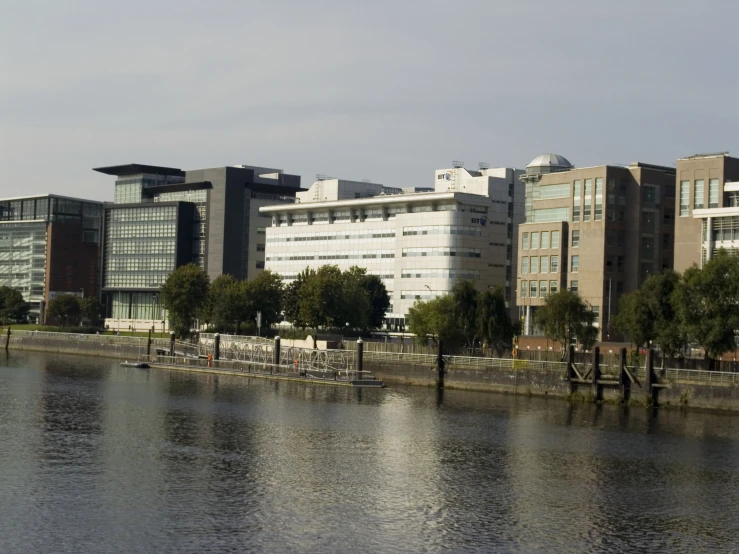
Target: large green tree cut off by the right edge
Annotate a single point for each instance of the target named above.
(707, 302)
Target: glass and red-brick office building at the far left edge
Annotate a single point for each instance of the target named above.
(49, 245)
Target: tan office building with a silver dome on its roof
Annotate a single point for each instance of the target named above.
(599, 231)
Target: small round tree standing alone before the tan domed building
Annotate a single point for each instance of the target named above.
(564, 317)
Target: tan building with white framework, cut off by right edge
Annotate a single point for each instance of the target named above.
(707, 208)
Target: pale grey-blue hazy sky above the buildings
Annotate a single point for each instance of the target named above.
(383, 90)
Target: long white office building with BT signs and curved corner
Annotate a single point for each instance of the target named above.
(420, 243)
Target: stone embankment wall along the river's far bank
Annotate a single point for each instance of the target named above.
(684, 389)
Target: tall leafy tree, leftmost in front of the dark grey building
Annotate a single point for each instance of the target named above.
(184, 293)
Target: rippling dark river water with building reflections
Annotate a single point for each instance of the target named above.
(95, 457)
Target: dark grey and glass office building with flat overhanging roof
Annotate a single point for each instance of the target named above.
(165, 217)
